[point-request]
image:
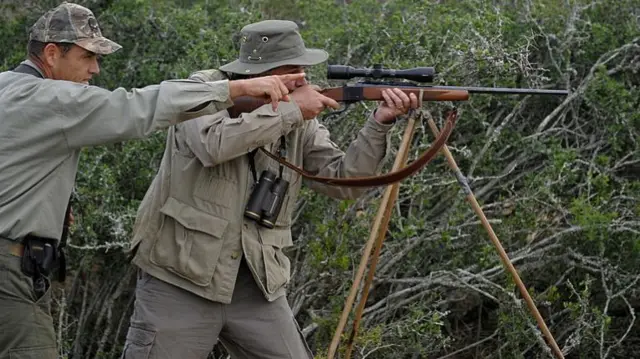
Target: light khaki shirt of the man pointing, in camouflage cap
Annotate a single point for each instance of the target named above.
(44, 124)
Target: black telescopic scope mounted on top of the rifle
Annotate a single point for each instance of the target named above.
(418, 74)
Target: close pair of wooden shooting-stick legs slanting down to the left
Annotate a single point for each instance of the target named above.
(377, 234)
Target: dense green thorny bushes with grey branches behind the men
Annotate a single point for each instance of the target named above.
(557, 177)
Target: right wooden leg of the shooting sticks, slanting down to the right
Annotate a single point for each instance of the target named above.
(503, 255)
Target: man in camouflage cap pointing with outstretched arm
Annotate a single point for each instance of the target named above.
(48, 113)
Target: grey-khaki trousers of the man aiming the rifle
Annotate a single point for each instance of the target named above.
(169, 323)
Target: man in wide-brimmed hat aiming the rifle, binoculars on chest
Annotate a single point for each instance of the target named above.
(208, 272)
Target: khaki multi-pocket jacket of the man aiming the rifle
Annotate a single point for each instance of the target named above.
(190, 226)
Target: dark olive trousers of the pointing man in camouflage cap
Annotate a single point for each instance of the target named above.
(26, 326)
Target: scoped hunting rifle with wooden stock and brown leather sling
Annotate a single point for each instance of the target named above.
(372, 91)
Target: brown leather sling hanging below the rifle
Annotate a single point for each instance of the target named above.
(385, 179)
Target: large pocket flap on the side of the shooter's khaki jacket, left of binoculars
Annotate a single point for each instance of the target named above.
(193, 218)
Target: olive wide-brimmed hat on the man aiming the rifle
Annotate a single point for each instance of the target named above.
(268, 44)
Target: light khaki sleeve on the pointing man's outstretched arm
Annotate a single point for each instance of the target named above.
(94, 116)
